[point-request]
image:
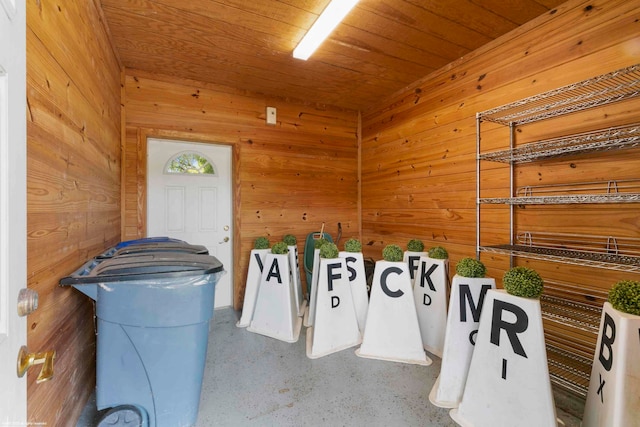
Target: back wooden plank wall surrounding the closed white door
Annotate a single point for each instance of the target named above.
(289, 178)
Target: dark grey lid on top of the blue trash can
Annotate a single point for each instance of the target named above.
(148, 266)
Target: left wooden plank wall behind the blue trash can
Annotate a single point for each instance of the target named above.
(73, 185)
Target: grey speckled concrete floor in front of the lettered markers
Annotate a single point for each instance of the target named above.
(252, 380)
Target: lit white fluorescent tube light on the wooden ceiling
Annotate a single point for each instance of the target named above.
(332, 15)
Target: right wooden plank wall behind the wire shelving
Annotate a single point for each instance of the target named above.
(419, 150)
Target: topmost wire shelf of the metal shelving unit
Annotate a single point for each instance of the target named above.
(597, 91)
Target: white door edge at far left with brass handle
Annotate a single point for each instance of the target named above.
(13, 207)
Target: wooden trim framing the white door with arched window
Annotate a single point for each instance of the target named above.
(141, 179)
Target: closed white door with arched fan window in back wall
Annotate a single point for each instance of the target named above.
(189, 201)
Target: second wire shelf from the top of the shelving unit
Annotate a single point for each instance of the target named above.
(616, 138)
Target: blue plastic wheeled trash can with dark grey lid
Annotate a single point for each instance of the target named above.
(153, 314)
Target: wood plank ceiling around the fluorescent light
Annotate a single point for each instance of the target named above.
(381, 47)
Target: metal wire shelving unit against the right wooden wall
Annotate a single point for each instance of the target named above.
(569, 362)
